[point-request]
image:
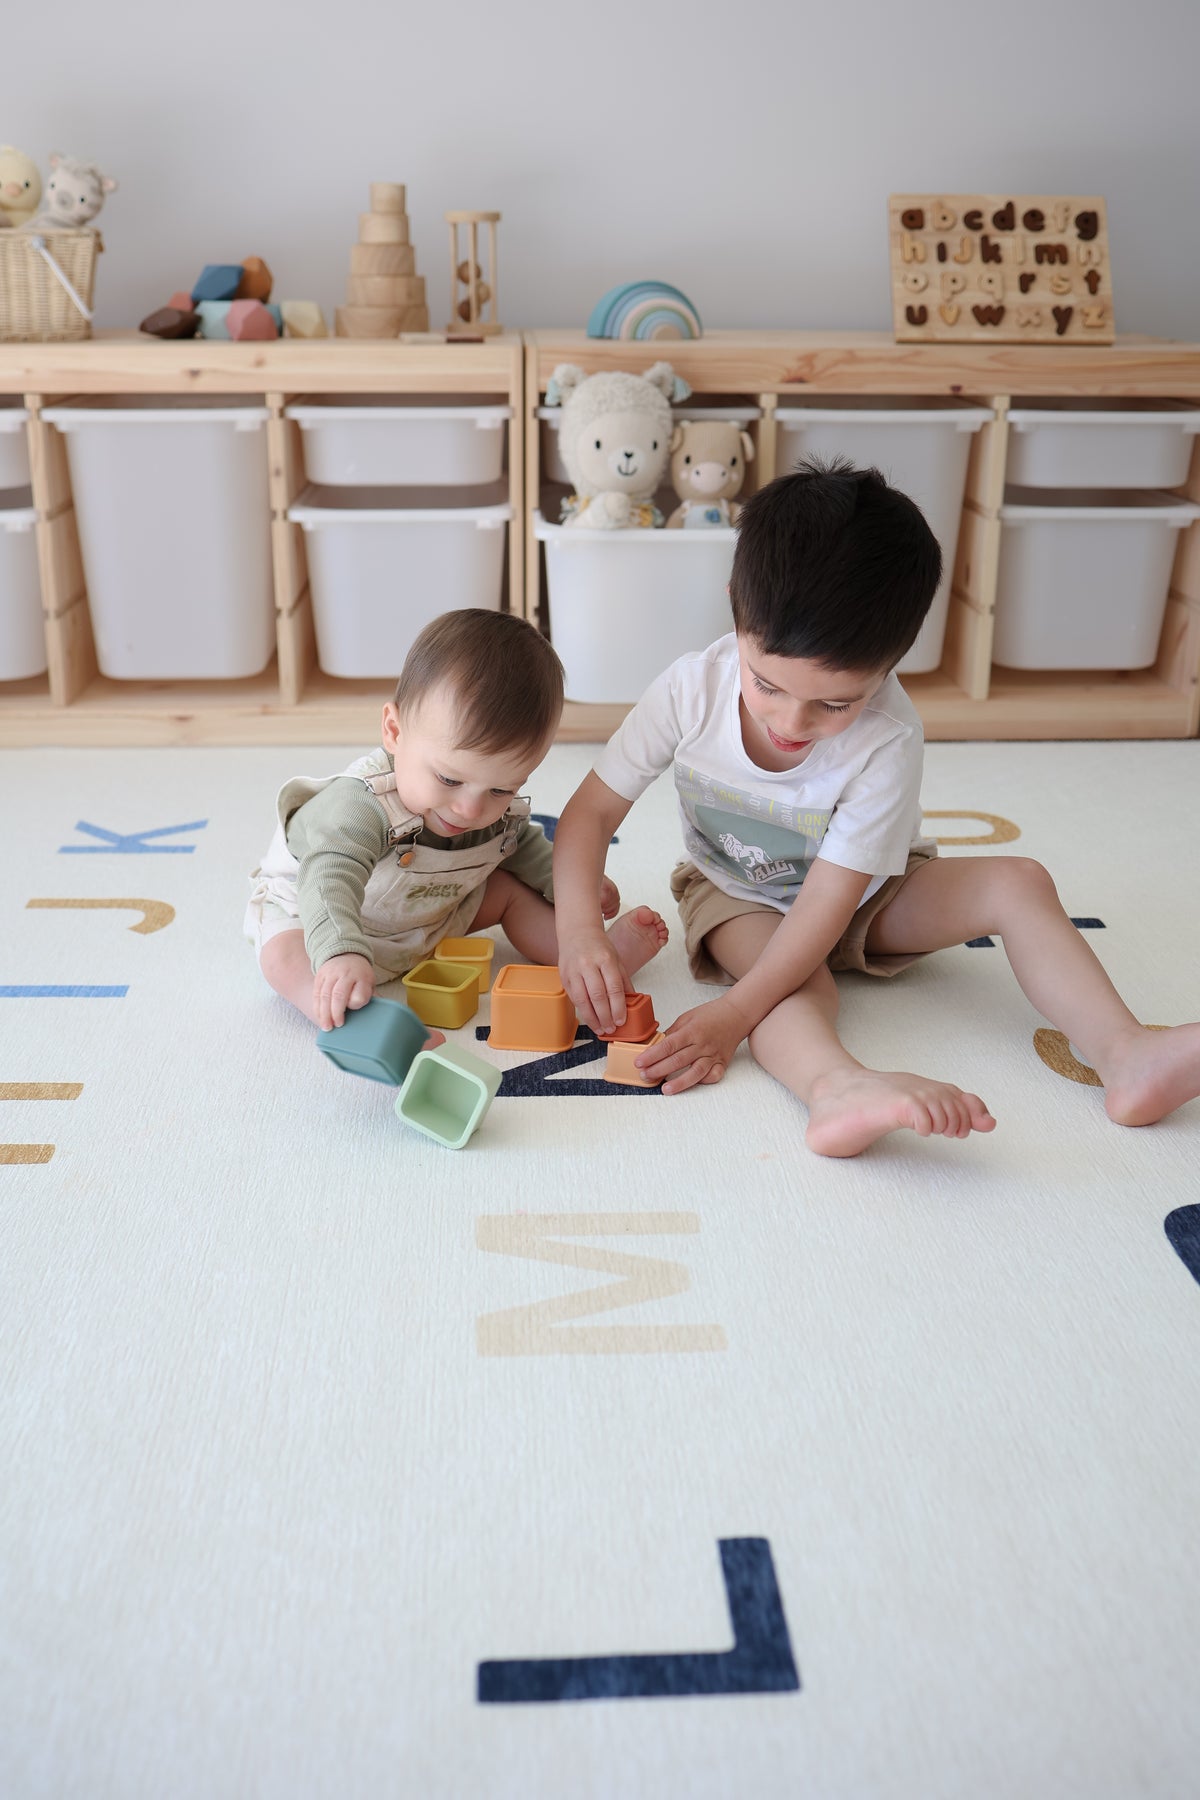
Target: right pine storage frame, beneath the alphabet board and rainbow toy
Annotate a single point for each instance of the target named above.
(967, 697)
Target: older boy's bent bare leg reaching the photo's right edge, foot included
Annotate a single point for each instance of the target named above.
(953, 899)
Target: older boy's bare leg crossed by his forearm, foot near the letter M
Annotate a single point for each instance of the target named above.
(848, 1104)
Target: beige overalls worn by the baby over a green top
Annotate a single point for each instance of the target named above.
(415, 895)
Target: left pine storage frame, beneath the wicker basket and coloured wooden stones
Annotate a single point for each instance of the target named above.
(292, 701)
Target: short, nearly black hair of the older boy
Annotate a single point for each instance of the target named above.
(834, 566)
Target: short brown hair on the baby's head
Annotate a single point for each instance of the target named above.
(508, 683)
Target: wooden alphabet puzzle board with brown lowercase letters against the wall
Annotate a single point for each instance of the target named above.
(983, 269)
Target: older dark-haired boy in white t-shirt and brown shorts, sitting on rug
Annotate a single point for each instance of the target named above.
(798, 766)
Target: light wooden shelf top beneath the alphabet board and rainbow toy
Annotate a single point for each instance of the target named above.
(873, 363)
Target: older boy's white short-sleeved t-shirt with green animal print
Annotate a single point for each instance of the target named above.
(855, 800)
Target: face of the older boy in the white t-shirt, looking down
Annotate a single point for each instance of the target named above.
(791, 703)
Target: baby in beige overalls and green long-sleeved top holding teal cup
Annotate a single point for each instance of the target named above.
(427, 836)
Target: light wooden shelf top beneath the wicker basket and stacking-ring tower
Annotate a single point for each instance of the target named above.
(134, 363)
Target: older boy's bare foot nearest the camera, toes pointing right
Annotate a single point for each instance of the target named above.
(854, 1108)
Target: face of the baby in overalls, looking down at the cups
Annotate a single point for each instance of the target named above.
(452, 789)
